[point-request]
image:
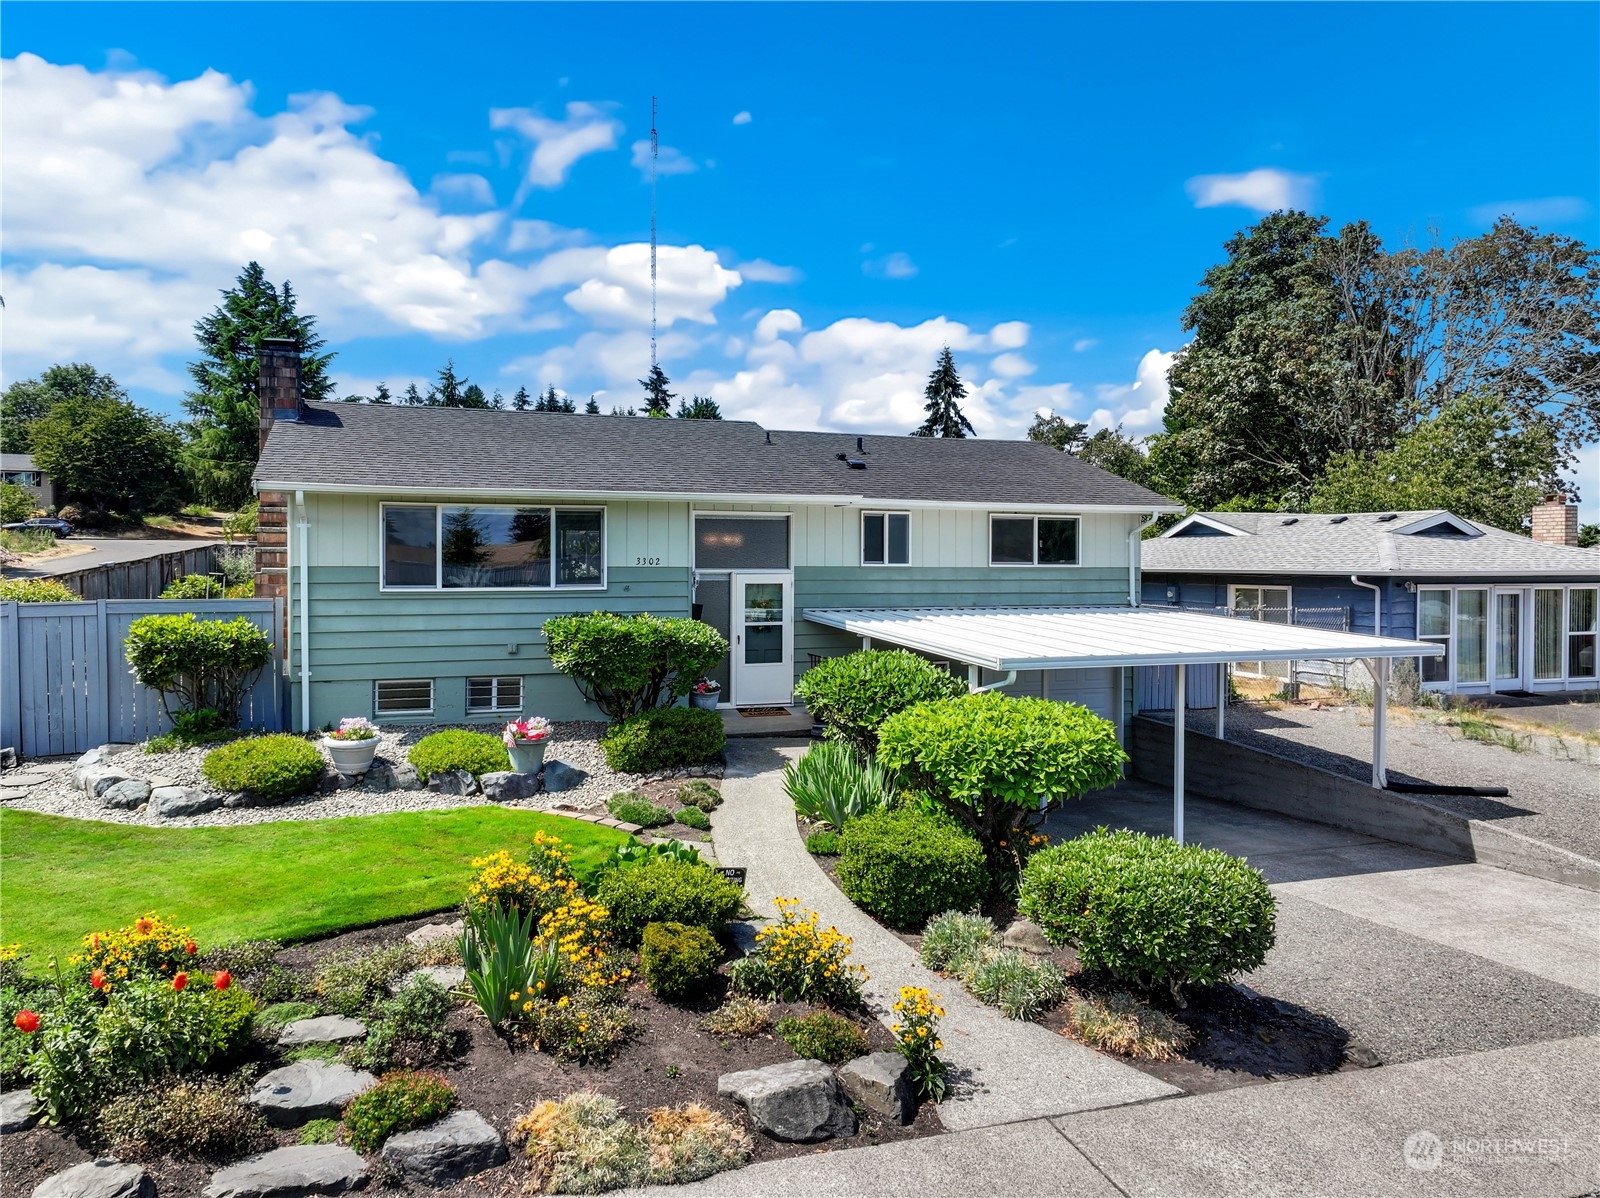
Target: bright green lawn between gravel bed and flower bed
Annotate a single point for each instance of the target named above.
(62, 879)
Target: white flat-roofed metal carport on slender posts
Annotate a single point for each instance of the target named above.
(1007, 641)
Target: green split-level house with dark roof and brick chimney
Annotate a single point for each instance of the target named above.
(422, 549)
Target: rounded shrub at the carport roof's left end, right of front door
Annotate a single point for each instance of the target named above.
(852, 697)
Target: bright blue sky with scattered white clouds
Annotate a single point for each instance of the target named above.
(846, 188)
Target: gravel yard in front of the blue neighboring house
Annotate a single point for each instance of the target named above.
(1554, 794)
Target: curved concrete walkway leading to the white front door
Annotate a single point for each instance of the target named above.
(1006, 1071)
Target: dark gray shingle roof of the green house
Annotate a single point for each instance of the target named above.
(404, 450)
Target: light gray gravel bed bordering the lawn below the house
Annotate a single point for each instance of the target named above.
(577, 745)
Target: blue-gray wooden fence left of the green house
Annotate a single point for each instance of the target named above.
(65, 682)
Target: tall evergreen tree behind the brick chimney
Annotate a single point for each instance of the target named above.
(225, 409)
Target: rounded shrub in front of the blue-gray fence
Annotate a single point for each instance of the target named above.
(198, 663)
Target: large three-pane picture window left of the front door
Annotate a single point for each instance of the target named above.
(492, 546)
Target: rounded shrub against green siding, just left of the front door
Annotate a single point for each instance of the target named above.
(631, 665)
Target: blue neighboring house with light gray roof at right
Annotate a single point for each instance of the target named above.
(1513, 613)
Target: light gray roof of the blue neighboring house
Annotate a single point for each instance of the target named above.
(1433, 545)
